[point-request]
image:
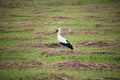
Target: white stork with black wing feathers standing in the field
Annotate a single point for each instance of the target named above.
(62, 40)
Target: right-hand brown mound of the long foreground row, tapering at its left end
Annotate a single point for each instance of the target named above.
(75, 64)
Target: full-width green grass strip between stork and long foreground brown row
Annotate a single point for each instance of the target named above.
(35, 54)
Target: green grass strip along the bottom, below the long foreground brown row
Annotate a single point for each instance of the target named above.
(35, 73)
